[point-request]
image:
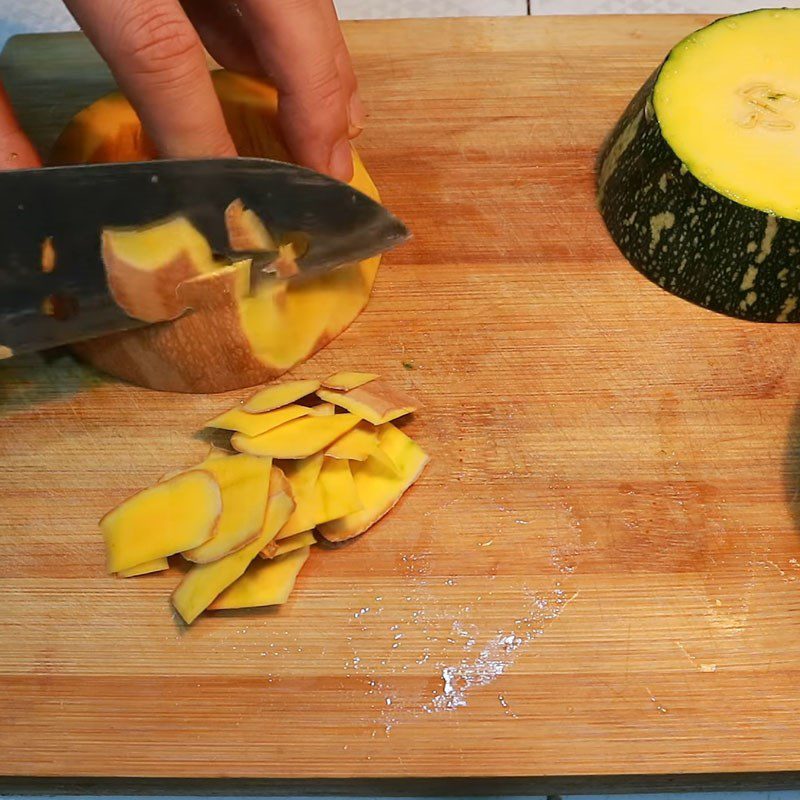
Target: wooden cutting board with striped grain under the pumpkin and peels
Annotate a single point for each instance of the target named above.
(599, 573)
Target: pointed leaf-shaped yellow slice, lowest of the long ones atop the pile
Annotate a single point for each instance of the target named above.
(299, 438)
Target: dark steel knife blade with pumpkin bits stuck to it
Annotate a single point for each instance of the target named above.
(67, 208)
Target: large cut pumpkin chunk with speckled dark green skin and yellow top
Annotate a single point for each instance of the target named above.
(677, 186)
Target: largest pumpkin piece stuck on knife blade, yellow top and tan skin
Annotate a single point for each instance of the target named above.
(145, 266)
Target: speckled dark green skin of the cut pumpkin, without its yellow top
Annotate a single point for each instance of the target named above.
(688, 238)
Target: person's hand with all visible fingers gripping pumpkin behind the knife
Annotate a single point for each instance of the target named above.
(154, 50)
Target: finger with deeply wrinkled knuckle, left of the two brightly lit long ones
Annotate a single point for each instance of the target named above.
(157, 58)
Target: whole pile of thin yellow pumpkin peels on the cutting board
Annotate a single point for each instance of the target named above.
(247, 520)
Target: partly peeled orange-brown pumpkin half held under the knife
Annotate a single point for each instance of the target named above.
(245, 341)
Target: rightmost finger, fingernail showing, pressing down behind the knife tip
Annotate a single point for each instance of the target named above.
(297, 47)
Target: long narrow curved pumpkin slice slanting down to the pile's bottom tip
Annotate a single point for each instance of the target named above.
(204, 582)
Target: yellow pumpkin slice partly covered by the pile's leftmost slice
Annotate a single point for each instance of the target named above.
(244, 481)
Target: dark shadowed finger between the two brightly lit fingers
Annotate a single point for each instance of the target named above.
(221, 28)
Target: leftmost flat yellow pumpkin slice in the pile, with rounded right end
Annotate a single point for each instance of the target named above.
(175, 515)
